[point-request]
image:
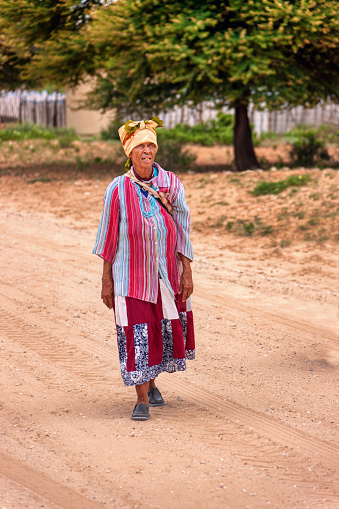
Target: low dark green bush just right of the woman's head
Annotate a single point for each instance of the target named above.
(172, 156)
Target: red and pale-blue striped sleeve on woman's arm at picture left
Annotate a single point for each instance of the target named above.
(107, 236)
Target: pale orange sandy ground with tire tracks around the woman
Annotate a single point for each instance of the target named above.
(252, 423)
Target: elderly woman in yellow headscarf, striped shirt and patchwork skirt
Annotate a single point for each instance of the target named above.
(143, 239)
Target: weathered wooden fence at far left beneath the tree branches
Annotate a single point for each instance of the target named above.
(39, 108)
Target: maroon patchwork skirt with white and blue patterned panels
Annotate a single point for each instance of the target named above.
(153, 338)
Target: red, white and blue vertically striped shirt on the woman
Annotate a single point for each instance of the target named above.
(140, 238)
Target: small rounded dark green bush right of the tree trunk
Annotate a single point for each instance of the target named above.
(308, 149)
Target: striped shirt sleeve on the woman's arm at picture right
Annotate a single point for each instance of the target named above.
(182, 219)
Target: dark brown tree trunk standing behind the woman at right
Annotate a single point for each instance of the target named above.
(245, 158)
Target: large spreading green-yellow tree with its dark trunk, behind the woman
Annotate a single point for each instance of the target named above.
(149, 55)
